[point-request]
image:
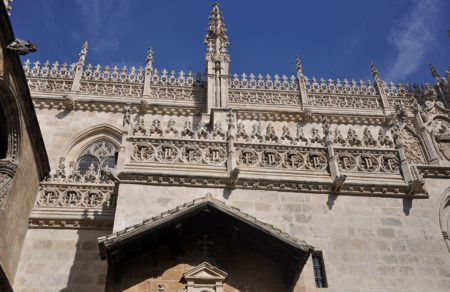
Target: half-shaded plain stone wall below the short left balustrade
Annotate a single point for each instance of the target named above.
(61, 260)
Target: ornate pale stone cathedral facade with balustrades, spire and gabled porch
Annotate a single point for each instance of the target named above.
(165, 181)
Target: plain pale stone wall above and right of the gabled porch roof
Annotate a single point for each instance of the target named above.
(367, 242)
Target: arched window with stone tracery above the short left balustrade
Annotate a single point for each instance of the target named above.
(98, 156)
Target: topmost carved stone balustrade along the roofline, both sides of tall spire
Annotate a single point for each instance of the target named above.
(188, 88)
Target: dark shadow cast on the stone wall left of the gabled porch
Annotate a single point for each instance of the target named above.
(88, 271)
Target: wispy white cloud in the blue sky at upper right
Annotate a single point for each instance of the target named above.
(413, 37)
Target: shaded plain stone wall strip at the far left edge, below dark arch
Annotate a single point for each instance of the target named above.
(19, 202)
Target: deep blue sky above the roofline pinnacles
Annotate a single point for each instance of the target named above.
(335, 39)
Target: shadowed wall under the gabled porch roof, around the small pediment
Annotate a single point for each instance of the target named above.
(164, 267)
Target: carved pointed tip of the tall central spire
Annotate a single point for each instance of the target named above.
(216, 38)
